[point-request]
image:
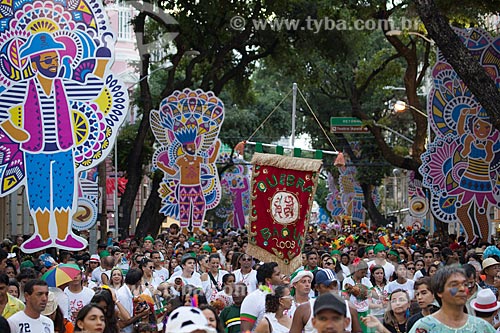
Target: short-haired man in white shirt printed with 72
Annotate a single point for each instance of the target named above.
(36, 293)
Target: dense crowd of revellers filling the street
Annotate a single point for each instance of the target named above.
(357, 281)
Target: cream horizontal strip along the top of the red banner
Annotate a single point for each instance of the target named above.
(286, 162)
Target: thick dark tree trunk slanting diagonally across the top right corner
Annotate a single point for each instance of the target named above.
(466, 66)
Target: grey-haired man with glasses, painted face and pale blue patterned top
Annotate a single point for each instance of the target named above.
(450, 289)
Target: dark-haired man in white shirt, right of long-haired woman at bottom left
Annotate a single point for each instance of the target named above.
(125, 295)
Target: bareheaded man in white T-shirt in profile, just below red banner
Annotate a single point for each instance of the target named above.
(254, 305)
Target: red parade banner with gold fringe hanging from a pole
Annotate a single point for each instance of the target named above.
(282, 193)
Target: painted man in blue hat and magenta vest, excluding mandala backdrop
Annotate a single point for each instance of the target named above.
(49, 155)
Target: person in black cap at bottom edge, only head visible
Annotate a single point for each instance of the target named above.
(329, 314)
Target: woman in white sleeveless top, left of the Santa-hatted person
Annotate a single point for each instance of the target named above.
(274, 320)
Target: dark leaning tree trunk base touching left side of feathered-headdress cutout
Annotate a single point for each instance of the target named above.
(151, 220)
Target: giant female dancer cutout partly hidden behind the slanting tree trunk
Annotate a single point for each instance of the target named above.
(461, 167)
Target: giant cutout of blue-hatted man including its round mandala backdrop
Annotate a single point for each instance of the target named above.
(60, 108)
